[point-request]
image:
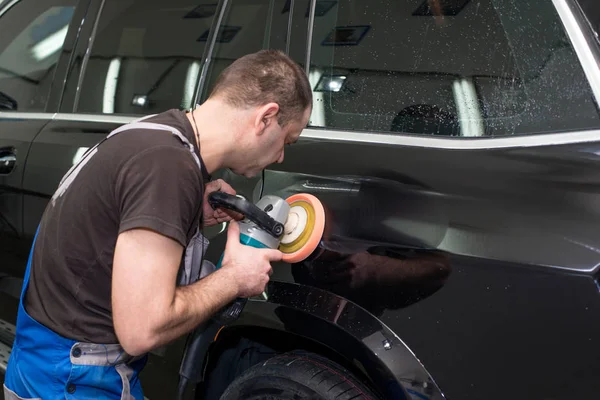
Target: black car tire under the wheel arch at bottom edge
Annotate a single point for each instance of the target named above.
(297, 375)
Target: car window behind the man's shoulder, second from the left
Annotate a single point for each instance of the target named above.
(146, 56)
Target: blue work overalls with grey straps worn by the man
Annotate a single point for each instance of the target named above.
(45, 365)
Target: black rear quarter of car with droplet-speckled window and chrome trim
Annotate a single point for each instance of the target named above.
(470, 129)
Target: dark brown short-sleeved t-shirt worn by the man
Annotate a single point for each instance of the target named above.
(137, 179)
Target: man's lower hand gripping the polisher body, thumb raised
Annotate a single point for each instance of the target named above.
(250, 267)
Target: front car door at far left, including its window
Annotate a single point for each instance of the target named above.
(36, 39)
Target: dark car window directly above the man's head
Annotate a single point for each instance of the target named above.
(251, 25)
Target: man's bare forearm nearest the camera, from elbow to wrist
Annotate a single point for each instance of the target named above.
(192, 305)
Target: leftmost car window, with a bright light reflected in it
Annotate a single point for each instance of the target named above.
(32, 34)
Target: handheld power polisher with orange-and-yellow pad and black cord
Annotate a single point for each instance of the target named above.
(294, 225)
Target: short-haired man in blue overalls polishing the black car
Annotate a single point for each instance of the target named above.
(101, 288)
